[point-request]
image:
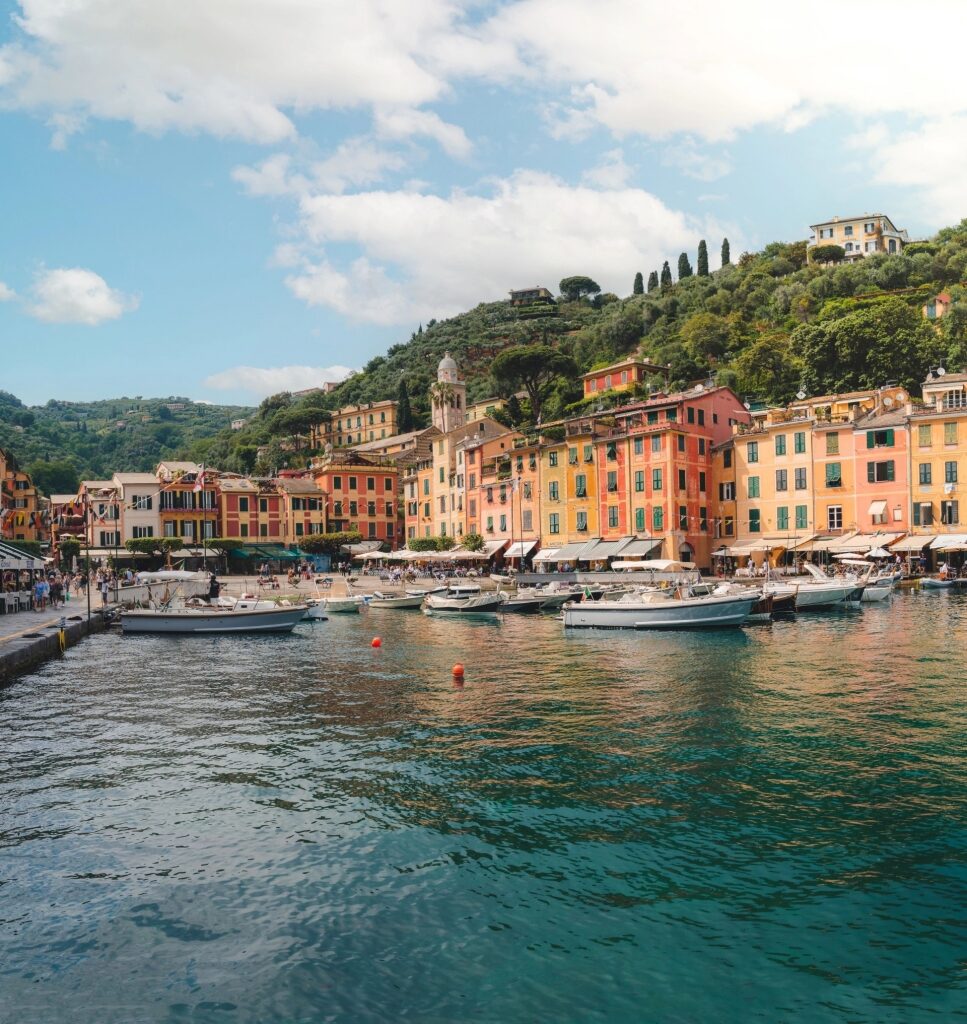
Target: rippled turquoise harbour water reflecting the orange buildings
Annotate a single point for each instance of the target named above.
(753, 826)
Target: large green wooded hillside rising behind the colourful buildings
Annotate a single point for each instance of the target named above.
(767, 324)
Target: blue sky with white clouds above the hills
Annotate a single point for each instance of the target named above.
(231, 198)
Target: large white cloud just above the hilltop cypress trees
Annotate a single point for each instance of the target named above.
(427, 255)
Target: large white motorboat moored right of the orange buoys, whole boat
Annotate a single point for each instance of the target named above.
(675, 608)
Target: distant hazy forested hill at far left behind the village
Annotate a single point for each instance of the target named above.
(65, 442)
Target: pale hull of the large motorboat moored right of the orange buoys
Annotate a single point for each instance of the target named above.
(668, 615)
